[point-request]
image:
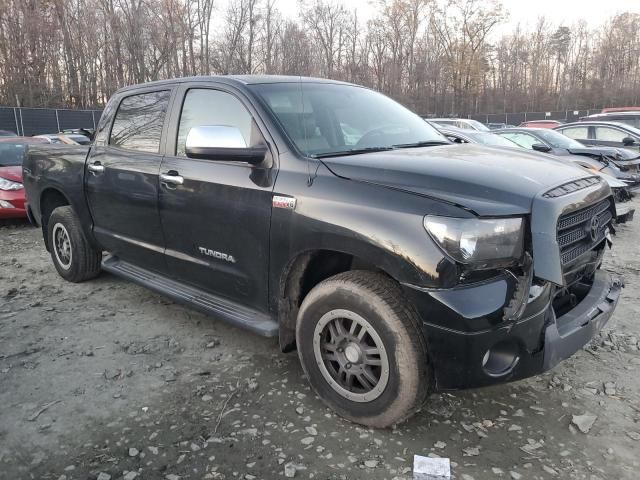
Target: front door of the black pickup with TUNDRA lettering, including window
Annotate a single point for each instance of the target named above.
(216, 220)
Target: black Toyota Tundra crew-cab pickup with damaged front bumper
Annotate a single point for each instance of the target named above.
(332, 217)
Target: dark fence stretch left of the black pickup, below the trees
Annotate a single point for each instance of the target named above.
(37, 121)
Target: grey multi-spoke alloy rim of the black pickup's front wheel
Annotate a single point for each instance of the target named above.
(351, 356)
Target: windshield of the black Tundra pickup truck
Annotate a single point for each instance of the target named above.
(322, 119)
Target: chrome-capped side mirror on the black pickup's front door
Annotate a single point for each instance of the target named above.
(222, 143)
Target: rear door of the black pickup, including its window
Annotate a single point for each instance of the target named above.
(122, 180)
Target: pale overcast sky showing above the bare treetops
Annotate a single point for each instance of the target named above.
(522, 11)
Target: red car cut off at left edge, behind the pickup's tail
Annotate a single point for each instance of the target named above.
(12, 194)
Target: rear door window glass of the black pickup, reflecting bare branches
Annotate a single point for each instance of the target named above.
(139, 120)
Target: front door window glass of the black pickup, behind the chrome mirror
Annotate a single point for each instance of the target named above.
(208, 108)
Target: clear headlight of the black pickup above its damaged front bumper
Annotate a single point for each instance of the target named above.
(482, 243)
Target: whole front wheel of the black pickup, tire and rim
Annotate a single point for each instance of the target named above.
(362, 348)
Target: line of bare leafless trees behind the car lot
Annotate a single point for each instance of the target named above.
(435, 56)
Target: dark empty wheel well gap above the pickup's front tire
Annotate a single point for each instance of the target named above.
(305, 272)
